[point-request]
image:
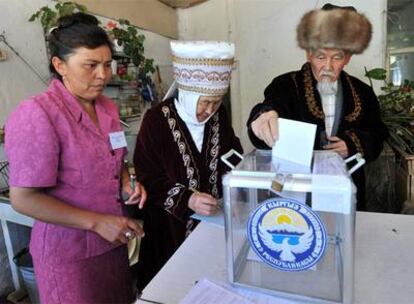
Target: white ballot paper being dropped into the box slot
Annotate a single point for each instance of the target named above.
(295, 142)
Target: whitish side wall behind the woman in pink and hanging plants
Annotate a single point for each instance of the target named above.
(17, 81)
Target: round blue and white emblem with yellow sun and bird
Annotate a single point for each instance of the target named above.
(286, 234)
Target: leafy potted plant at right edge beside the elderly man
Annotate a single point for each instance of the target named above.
(395, 184)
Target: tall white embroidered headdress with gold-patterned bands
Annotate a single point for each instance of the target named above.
(202, 66)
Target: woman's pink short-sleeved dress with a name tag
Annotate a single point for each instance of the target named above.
(51, 143)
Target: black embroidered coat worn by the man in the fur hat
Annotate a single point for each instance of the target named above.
(294, 96)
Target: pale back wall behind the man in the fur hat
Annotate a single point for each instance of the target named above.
(264, 32)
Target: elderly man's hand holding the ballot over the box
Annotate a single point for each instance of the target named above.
(265, 127)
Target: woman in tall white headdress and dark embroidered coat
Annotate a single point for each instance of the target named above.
(177, 156)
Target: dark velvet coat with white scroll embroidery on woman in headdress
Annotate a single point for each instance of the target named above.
(169, 165)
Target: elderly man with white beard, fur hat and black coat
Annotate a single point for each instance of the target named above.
(345, 110)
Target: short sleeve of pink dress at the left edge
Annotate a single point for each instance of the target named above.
(32, 147)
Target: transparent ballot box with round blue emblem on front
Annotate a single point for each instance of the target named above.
(290, 229)
